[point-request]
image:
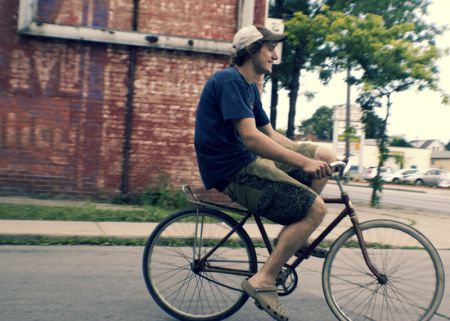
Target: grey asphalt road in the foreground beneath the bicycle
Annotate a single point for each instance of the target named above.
(76, 283)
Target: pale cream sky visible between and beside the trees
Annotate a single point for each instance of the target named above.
(414, 115)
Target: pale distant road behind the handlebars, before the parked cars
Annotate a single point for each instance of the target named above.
(430, 199)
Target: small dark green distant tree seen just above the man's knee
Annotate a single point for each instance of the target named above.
(320, 124)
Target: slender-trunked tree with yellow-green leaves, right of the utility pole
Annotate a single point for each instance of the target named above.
(392, 62)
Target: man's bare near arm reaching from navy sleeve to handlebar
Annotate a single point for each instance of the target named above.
(261, 144)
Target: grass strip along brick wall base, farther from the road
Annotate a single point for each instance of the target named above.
(83, 213)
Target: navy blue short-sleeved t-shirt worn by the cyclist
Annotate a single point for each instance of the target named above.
(220, 150)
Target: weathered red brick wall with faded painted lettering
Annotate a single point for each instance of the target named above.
(63, 103)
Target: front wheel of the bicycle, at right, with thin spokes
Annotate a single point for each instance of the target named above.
(414, 274)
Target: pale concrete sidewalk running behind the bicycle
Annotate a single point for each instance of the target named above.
(435, 226)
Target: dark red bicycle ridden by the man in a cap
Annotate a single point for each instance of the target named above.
(195, 259)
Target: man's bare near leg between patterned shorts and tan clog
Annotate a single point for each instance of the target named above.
(290, 240)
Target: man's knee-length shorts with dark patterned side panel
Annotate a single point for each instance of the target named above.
(276, 191)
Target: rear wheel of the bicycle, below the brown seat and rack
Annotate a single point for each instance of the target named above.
(183, 289)
